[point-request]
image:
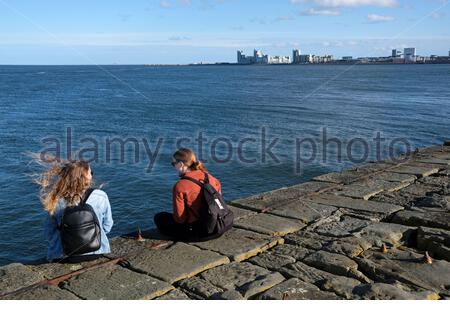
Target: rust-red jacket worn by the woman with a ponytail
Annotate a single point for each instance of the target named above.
(188, 199)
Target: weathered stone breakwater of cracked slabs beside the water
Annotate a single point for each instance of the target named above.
(378, 231)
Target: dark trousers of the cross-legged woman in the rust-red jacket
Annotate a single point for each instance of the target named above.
(181, 231)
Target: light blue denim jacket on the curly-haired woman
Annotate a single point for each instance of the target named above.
(100, 203)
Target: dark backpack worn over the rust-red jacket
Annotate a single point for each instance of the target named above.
(216, 218)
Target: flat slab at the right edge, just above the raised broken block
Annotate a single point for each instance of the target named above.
(426, 218)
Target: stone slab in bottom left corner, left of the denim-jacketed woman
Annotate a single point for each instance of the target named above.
(15, 276)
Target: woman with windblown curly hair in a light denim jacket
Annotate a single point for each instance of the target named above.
(64, 185)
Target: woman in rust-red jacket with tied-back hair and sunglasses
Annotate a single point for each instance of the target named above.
(187, 199)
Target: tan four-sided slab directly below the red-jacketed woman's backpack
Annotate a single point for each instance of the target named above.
(239, 244)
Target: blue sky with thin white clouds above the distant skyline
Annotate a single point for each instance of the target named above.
(186, 31)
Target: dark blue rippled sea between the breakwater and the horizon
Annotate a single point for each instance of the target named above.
(229, 103)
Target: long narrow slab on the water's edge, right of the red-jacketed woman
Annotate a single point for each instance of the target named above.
(278, 197)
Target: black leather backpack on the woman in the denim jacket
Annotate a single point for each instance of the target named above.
(80, 229)
